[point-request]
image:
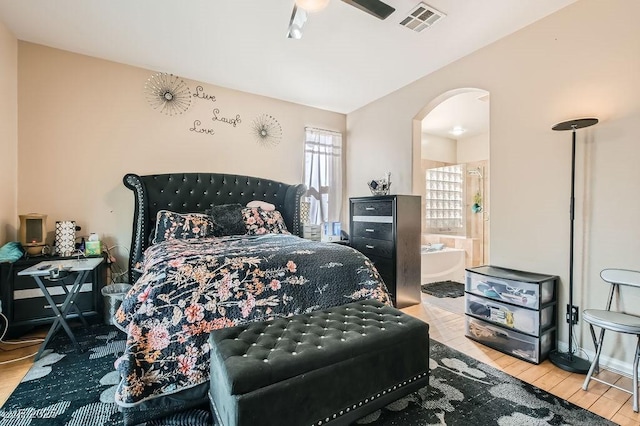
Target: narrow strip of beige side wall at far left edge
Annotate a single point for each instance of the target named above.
(8, 134)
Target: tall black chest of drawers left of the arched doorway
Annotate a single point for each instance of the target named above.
(387, 230)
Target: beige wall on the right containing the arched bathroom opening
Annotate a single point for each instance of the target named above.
(581, 61)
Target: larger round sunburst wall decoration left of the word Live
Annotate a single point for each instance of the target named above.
(168, 93)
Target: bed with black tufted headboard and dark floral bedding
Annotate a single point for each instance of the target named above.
(193, 271)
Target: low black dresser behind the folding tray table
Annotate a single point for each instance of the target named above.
(25, 306)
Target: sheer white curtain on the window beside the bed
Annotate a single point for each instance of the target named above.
(323, 174)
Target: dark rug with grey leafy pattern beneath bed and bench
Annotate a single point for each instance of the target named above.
(71, 389)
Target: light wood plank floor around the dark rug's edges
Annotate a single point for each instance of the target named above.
(446, 326)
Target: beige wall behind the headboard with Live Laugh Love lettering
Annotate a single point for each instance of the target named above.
(84, 123)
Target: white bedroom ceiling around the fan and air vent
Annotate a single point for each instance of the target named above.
(345, 59)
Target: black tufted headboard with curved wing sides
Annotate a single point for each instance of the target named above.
(196, 192)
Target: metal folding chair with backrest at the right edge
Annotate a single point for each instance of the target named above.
(618, 322)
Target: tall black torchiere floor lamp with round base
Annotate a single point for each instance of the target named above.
(567, 360)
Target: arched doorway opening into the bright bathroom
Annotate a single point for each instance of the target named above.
(451, 143)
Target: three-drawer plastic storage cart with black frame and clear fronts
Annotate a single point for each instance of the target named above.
(512, 311)
